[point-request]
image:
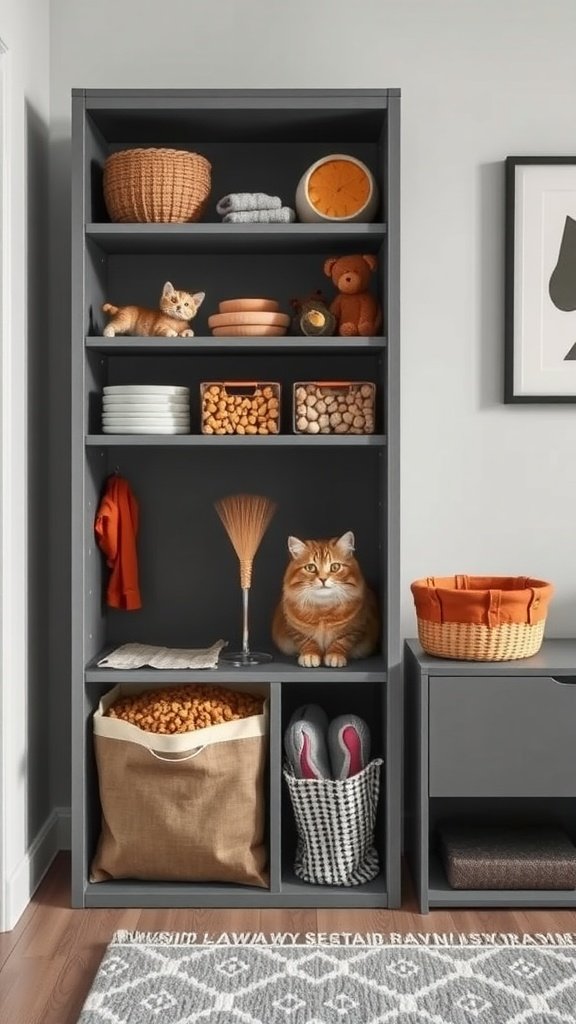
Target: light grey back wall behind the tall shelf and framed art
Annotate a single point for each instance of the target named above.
(486, 489)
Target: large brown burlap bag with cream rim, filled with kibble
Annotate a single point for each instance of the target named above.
(184, 807)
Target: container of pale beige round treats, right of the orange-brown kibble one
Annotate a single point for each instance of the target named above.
(334, 408)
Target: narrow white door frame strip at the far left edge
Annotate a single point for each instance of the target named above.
(5, 464)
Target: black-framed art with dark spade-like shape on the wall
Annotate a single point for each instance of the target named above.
(541, 285)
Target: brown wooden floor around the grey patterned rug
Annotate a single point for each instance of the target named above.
(49, 962)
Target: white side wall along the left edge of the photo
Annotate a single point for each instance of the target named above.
(25, 695)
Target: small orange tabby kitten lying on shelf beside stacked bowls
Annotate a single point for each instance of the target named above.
(177, 310)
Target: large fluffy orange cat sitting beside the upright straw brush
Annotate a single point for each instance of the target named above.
(326, 612)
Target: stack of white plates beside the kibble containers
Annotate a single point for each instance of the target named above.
(146, 409)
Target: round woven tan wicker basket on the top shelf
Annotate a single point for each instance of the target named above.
(156, 186)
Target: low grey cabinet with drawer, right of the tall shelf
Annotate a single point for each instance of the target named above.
(488, 743)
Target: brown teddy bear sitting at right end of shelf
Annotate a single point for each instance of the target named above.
(356, 310)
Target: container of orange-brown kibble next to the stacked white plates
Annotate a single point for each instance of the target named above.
(240, 408)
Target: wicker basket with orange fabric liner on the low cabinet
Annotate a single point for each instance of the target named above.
(481, 619)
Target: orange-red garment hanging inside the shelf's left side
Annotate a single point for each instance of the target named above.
(116, 528)
